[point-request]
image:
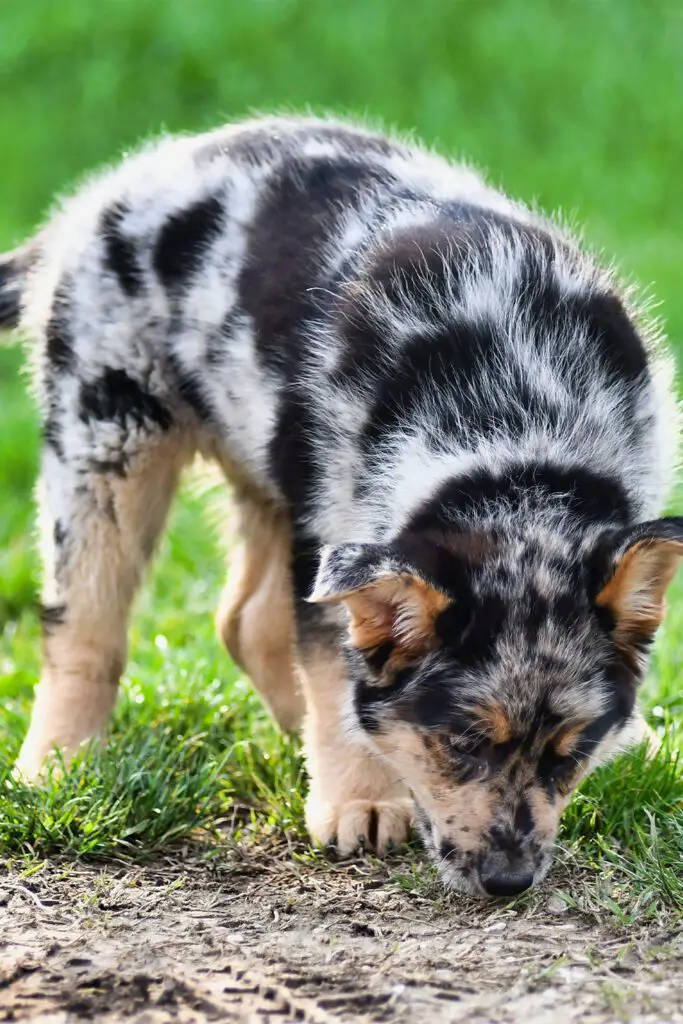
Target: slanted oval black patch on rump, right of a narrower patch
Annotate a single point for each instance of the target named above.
(184, 241)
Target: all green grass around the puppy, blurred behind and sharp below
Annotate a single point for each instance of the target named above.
(578, 106)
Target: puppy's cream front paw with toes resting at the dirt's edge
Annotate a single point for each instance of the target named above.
(360, 825)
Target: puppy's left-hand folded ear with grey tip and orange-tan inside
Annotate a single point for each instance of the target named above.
(389, 601)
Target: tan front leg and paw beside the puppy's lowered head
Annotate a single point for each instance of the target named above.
(356, 799)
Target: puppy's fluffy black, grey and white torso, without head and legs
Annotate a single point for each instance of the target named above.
(359, 321)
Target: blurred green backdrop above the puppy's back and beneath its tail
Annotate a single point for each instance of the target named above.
(573, 104)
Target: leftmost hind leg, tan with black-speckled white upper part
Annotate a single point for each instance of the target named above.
(100, 522)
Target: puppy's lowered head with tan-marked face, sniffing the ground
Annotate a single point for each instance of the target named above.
(495, 674)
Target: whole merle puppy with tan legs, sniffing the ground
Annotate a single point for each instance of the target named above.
(449, 436)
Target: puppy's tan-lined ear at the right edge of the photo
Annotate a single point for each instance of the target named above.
(632, 571)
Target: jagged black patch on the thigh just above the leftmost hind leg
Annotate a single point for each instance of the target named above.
(116, 397)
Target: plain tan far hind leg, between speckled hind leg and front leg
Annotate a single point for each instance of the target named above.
(255, 618)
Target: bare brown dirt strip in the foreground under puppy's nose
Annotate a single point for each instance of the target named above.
(266, 941)
